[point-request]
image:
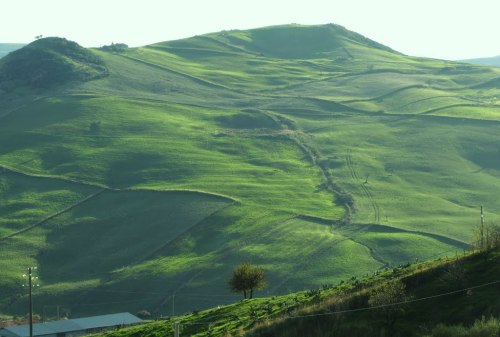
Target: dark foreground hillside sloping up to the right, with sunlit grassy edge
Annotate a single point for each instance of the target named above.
(453, 291)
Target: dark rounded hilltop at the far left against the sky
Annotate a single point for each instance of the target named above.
(50, 61)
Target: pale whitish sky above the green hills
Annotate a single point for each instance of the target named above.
(447, 29)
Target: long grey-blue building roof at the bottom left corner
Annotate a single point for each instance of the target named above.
(77, 324)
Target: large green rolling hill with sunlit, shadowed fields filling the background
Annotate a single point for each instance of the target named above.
(138, 179)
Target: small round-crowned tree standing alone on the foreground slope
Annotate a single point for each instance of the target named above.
(246, 278)
